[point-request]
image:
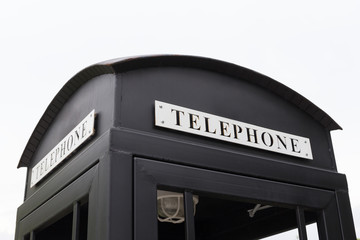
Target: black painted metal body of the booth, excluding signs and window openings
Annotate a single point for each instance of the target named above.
(118, 170)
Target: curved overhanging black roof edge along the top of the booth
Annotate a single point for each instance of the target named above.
(127, 64)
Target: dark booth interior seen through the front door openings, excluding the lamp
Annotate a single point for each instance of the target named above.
(222, 219)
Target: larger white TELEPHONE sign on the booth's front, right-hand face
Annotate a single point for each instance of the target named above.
(204, 124)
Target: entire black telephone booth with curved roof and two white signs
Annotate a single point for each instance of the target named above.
(181, 147)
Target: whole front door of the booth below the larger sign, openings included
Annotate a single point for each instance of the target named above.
(181, 202)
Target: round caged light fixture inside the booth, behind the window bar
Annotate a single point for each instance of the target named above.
(171, 206)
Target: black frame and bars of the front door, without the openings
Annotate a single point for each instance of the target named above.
(151, 174)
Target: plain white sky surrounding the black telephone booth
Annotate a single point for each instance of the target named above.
(311, 46)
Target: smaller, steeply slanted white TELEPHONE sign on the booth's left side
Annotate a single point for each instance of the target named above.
(64, 148)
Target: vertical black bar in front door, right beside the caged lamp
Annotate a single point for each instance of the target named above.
(189, 216)
